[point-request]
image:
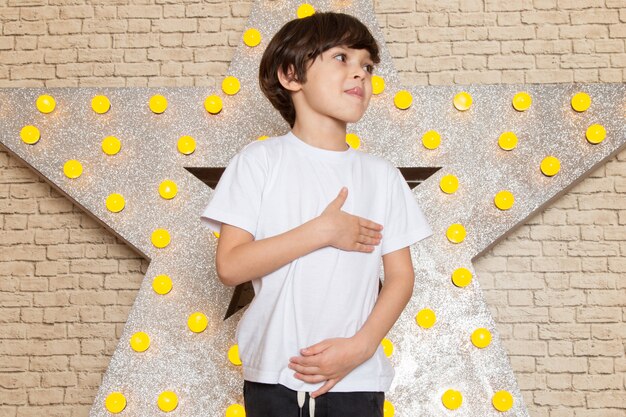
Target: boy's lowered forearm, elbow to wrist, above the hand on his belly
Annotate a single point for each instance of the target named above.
(393, 297)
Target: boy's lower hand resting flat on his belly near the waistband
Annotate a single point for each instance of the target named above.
(329, 360)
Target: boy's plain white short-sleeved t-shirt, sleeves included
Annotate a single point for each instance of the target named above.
(274, 185)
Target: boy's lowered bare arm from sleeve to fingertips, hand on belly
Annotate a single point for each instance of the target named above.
(332, 359)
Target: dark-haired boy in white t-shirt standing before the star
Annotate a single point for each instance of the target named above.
(302, 216)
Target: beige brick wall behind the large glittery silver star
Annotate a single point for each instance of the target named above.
(556, 286)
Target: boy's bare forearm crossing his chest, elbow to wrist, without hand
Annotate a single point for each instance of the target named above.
(261, 257)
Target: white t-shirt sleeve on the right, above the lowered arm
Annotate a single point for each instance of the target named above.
(405, 223)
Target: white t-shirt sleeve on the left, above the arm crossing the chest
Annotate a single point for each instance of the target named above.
(236, 199)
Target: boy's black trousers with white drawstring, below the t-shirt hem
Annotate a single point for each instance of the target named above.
(275, 400)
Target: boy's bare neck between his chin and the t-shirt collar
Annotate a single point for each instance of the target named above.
(330, 135)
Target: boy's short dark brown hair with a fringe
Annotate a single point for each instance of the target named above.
(298, 43)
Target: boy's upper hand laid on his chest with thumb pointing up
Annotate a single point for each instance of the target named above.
(346, 231)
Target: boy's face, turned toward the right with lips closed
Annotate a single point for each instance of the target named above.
(338, 85)
